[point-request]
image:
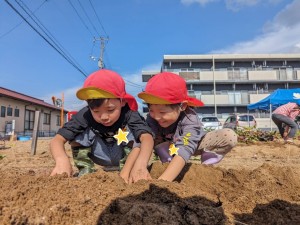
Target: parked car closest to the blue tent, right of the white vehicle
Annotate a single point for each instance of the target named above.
(240, 120)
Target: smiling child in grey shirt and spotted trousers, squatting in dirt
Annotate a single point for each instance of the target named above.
(177, 128)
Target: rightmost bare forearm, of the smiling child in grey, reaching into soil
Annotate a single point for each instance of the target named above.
(173, 169)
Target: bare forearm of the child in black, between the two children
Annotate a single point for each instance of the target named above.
(139, 170)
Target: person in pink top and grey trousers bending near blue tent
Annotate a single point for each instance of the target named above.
(284, 117)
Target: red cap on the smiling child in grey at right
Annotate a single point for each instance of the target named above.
(167, 88)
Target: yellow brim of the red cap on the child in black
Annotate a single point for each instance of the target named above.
(93, 93)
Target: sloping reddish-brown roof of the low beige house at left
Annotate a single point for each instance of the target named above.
(25, 98)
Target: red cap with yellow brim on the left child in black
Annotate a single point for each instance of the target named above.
(105, 84)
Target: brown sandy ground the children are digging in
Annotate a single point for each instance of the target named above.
(254, 184)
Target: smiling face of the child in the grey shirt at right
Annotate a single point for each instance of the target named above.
(165, 115)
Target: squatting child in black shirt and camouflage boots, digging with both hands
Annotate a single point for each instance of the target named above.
(103, 132)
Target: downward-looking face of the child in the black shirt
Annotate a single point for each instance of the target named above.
(109, 112)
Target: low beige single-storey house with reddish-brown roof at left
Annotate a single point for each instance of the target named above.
(18, 112)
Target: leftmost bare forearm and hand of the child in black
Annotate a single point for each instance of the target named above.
(62, 162)
